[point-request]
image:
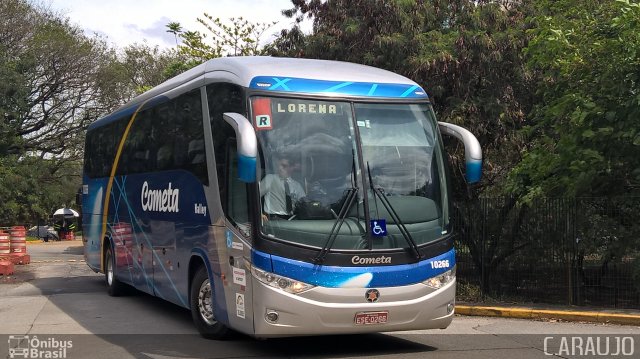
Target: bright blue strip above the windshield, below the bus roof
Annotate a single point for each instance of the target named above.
(309, 86)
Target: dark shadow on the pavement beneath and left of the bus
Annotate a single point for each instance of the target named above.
(146, 326)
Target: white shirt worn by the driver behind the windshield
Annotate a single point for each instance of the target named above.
(272, 189)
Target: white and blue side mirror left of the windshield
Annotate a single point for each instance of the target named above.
(247, 146)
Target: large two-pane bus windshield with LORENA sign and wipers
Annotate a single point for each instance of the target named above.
(316, 155)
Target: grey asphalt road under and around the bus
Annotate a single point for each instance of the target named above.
(58, 301)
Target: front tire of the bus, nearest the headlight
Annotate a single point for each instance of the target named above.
(202, 301)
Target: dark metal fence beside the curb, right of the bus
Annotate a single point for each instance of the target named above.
(578, 251)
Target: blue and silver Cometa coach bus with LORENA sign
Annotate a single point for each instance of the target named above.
(278, 197)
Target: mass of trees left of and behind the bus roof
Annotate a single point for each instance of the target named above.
(55, 81)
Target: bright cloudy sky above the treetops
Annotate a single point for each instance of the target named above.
(124, 22)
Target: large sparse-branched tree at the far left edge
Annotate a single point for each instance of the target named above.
(50, 90)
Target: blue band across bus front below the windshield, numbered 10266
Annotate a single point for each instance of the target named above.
(361, 277)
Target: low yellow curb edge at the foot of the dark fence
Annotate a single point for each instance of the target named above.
(568, 313)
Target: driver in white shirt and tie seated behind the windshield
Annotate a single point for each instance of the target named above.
(280, 191)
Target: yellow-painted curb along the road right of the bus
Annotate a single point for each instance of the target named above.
(530, 313)
